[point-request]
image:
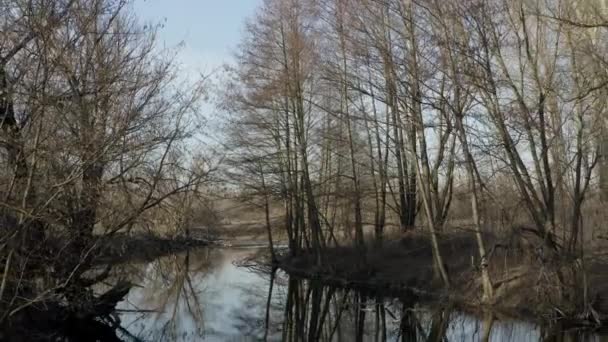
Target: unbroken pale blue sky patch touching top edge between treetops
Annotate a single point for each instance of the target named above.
(210, 29)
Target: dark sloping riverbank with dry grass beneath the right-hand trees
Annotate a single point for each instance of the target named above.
(523, 287)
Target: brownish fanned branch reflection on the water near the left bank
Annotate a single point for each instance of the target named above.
(169, 297)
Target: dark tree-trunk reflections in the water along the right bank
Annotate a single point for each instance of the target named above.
(314, 312)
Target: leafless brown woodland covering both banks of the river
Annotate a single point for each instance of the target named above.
(444, 149)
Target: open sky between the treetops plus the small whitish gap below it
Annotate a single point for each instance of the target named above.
(210, 31)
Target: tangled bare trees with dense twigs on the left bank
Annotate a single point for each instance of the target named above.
(93, 123)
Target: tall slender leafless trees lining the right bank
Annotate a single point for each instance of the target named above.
(371, 113)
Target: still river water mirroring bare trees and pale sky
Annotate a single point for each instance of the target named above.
(204, 295)
